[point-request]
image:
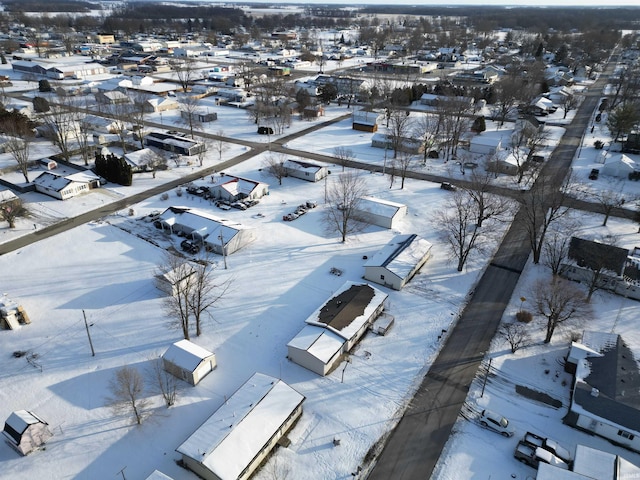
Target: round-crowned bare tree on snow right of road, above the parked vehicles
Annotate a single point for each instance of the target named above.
(559, 301)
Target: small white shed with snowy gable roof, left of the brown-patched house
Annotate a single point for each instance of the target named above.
(188, 361)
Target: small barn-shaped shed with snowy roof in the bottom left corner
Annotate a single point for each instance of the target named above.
(25, 431)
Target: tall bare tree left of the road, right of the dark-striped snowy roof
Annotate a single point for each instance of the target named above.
(458, 224)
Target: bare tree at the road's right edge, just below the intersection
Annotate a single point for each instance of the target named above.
(540, 207)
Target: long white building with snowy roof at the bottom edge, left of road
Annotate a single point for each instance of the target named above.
(233, 442)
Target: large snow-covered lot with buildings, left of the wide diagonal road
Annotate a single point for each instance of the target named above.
(278, 281)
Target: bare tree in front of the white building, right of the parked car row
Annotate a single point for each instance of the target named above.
(343, 198)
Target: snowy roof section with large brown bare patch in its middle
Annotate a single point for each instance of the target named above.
(350, 307)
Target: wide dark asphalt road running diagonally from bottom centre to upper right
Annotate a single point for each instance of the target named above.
(414, 446)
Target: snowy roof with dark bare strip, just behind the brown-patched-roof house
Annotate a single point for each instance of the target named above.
(401, 254)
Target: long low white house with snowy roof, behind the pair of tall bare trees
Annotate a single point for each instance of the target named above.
(208, 229)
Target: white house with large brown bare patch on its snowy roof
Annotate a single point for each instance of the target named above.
(337, 325)
